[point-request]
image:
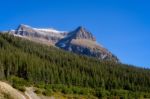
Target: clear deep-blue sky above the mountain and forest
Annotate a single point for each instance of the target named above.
(122, 26)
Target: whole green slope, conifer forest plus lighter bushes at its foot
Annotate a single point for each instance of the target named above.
(52, 71)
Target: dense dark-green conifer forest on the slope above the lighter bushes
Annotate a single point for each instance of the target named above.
(37, 63)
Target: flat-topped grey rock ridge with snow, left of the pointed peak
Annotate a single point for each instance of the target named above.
(45, 34)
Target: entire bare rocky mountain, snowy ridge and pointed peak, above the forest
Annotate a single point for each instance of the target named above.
(79, 41)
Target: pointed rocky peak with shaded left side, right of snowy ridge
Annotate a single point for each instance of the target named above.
(81, 41)
